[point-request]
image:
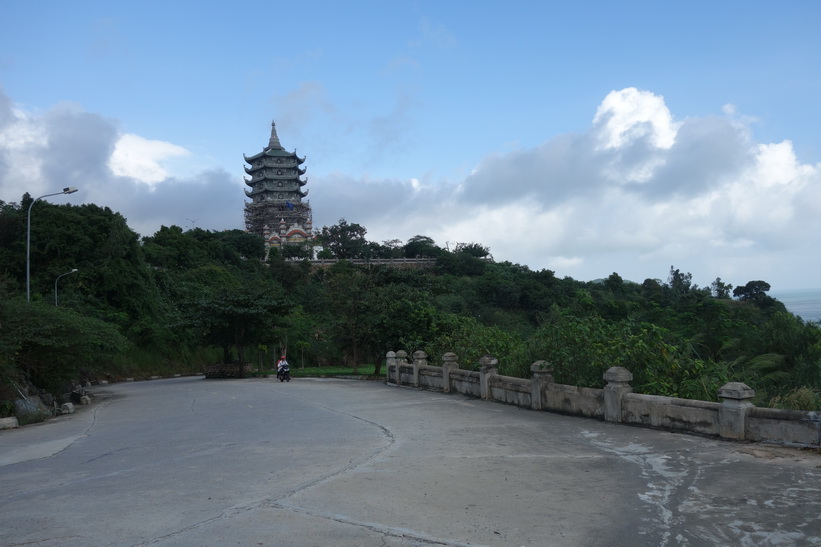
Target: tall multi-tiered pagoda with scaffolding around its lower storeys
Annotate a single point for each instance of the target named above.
(277, 211)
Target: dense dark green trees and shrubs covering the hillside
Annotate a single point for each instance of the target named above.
(179, 300)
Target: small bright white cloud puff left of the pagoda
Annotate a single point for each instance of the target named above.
(141, 159)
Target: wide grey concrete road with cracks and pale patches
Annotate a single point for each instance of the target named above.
(190, 461)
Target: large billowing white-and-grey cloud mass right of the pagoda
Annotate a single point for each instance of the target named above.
(635, 194)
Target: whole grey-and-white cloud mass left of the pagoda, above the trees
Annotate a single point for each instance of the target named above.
(41, 153)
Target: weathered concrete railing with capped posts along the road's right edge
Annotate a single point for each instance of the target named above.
(734, 418)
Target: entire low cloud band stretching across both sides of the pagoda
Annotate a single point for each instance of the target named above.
(637, 192)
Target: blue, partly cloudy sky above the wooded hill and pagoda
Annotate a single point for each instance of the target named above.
(586, 138)
